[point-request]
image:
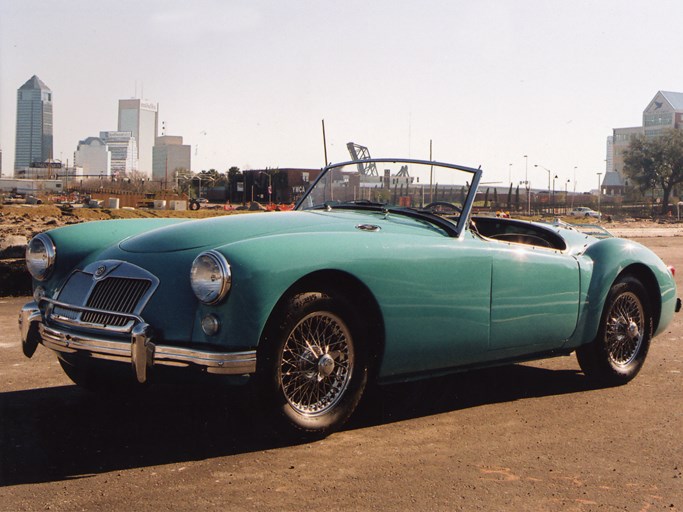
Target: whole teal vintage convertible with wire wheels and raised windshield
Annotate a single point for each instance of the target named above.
(381, 273)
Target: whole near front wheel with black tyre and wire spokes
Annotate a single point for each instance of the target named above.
(312, 364)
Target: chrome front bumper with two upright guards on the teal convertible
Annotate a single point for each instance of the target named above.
(141, 351)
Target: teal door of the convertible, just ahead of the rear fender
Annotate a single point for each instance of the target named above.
(534, 298)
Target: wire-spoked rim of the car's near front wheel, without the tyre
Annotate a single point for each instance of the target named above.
(317, 363)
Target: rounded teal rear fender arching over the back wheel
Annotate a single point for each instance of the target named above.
(601, 265)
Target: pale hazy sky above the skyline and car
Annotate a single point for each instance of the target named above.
(247, 83)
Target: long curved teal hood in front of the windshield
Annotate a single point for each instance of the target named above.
(218, 231)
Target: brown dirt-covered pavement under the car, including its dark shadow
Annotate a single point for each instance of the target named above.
(535, 436)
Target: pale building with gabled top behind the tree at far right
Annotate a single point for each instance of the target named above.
(664, 111)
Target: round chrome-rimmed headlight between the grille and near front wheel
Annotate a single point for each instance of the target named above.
(210, 277)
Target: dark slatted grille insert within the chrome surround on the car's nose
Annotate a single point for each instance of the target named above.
(115, 295)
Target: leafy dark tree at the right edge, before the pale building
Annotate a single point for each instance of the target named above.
(656, 162)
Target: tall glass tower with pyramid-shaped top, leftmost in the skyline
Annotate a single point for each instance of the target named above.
(34, 123)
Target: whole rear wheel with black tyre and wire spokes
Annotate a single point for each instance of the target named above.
(619, 350)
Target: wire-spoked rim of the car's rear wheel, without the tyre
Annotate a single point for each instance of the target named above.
(623, 332)
